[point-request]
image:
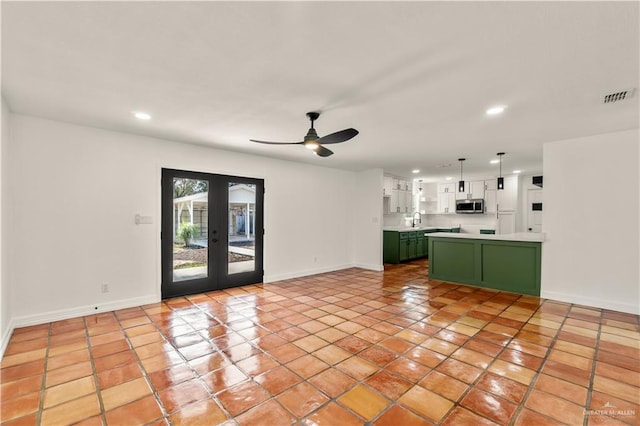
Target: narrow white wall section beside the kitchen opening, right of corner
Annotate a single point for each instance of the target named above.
(368, 219)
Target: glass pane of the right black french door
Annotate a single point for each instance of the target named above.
(242, 221)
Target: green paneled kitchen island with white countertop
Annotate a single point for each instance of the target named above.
(509, 262)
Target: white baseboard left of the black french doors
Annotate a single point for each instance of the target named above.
(81, 311)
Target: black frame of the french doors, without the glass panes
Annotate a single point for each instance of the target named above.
(218, 277)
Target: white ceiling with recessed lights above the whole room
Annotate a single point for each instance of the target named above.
(414, 78)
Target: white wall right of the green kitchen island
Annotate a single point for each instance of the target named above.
(591, 221)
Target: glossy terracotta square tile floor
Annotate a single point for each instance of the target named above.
(343, 348)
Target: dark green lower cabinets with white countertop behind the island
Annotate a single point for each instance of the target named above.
(400, 246)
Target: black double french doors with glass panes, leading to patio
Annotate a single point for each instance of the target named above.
(211, 232)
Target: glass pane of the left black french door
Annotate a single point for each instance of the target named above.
(190, 229)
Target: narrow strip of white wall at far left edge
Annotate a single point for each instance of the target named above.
(5, 296)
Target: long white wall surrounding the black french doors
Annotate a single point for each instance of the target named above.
(74, 192)
